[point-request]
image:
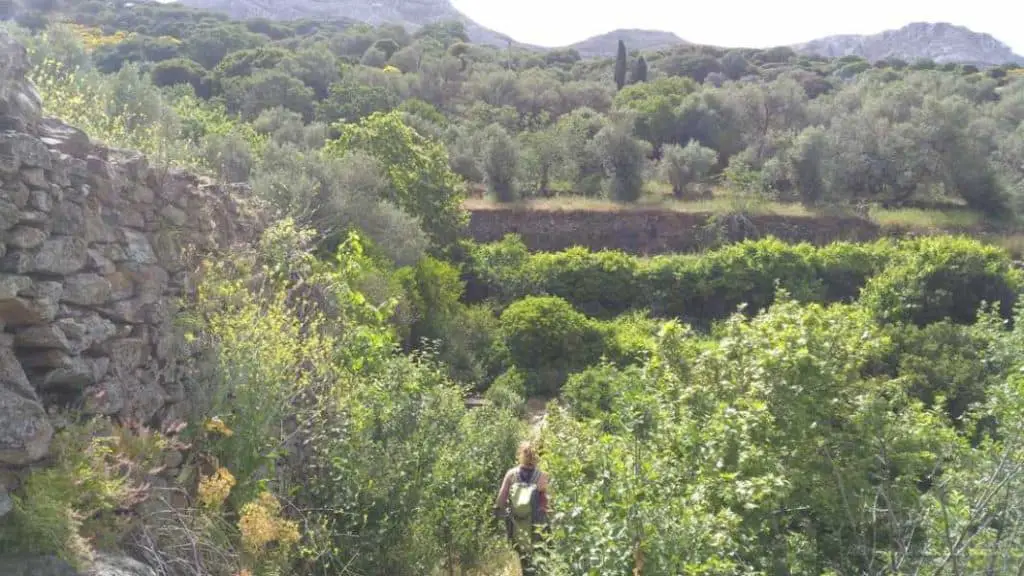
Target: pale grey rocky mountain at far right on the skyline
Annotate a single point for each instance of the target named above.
(942, 43)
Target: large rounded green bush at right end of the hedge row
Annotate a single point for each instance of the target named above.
(932, 279)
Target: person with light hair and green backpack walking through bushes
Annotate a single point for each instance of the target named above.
(524, 502)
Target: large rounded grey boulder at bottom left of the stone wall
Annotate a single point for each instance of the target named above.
(25, 432)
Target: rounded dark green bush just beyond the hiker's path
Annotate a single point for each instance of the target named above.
(548, 340)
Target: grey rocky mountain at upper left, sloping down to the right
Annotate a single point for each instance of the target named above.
(410, 14)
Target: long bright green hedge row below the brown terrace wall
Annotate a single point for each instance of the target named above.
(916, 280)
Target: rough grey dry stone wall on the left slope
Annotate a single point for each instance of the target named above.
(95, 252)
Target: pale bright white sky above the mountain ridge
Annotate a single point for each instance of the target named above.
(739, 23)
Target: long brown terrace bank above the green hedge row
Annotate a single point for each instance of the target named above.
(658, 232)
